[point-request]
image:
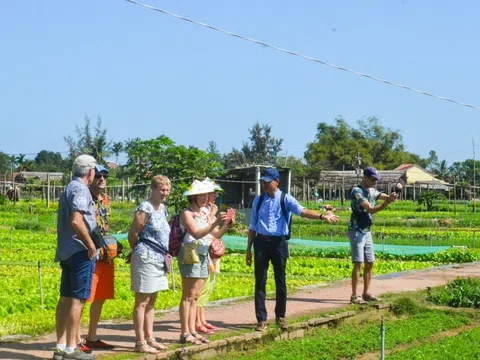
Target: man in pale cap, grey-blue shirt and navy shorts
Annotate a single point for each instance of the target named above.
(76, 253)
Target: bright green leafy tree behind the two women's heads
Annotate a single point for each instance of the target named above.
(146, 158)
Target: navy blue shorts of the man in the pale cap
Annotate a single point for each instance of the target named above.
(77, 274)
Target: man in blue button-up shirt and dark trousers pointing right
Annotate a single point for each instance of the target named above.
(268, 232)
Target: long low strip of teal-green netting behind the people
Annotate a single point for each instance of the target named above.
(240, 243)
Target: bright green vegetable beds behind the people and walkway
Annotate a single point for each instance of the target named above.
(29, 278)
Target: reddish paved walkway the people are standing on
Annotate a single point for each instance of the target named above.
(238, 315)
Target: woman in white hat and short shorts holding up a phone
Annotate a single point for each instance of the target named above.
(193, 256)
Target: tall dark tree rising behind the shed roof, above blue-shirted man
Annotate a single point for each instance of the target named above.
(263, 148)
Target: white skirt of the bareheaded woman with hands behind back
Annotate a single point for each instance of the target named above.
(147, 274)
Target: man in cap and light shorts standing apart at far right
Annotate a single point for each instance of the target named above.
(363, 199)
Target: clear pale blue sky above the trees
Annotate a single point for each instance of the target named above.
(147, 74)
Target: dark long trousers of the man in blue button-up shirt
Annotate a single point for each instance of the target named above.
(276, 251)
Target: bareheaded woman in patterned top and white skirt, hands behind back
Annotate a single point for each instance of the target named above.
(148, 237)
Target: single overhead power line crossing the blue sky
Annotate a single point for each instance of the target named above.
(290, 52)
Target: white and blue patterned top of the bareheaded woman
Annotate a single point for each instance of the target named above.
(156, 229)
